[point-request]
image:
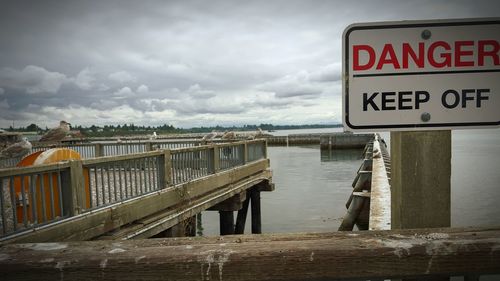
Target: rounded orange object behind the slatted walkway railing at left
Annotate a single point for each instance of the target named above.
(50, 182)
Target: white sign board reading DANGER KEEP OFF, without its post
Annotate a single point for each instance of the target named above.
(421, 75)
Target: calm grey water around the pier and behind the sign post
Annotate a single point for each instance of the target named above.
(311, 194)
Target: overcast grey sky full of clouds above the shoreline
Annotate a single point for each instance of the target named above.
(186, 63)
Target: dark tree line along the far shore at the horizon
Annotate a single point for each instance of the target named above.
(131, 129)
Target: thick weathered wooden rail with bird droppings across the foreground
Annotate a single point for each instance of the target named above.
(369, 254)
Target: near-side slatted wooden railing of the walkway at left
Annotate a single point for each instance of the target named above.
(82, 186)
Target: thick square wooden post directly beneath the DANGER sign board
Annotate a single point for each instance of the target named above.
(420, 179)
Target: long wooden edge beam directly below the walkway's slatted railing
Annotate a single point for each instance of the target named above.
(98, 222)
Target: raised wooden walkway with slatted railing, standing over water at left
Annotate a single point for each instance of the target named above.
(127, 196)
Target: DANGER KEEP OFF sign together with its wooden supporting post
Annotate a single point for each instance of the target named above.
(419, 80)
